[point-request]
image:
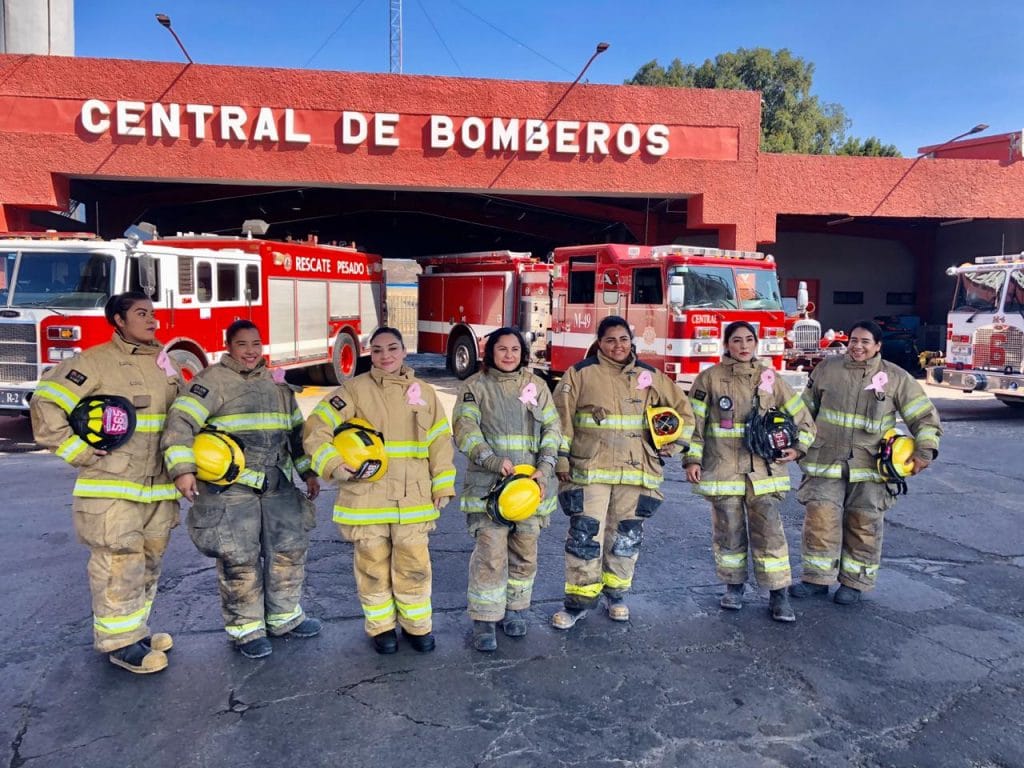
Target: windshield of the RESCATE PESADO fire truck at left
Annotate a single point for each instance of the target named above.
(56, 279)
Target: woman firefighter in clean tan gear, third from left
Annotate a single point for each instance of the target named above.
(386, 437)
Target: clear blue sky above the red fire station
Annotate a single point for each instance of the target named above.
(910, 72)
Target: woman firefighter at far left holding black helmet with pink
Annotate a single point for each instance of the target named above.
(103, 412)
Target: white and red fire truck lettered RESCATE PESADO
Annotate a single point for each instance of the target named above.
(315, 305)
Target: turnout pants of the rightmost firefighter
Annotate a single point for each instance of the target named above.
(843, 527)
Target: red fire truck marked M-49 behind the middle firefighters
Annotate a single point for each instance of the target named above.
(677, 298)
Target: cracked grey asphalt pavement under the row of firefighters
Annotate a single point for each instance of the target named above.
(927, 671)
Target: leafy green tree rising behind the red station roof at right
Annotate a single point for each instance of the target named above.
(792, 119)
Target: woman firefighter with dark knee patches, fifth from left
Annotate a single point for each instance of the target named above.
(611, 465)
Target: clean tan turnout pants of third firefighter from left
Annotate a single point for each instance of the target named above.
(393, 575)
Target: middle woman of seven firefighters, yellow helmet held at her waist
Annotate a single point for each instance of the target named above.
(504, 419)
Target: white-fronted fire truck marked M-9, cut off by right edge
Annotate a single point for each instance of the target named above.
(986, 330)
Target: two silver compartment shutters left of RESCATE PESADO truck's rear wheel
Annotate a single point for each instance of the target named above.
(298, 320)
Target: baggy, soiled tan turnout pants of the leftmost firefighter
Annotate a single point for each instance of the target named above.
(126, 542)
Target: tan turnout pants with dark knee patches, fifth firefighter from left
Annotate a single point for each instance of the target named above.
(605, 538)
